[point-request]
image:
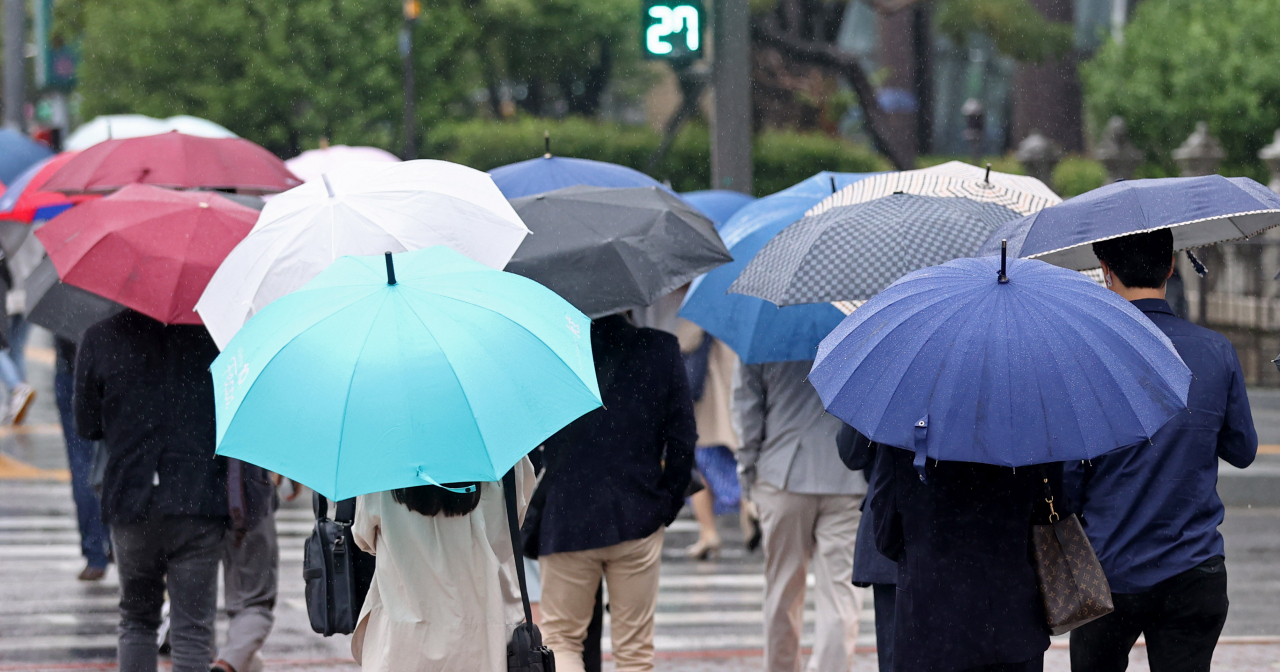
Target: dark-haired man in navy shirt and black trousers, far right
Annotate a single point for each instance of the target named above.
(1153, 511)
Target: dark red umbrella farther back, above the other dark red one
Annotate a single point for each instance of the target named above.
(177, 162)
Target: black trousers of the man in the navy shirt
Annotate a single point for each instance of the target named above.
(1182, 619)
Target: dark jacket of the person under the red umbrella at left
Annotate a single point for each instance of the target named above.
(144, 390)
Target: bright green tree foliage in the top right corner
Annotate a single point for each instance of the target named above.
(1190, 61)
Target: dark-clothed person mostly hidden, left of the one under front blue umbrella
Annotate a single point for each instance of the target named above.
(871, 568)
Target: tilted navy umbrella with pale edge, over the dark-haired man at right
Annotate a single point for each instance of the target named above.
(1203, 211)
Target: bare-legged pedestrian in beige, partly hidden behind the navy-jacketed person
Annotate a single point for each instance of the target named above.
(711, 365)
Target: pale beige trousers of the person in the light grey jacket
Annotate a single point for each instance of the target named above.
(799, 531)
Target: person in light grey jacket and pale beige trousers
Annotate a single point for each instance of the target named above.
(810, 509)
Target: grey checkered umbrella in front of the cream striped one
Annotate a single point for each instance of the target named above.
(852, 253)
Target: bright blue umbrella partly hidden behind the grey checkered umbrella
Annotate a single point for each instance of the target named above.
(753, 328)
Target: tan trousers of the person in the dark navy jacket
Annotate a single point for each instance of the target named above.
(570, 582)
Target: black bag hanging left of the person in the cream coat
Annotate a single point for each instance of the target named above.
(337, 573)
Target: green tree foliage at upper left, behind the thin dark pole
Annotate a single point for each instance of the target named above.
(284, 74)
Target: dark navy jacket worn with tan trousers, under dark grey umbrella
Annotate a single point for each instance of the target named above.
(620, 473)
